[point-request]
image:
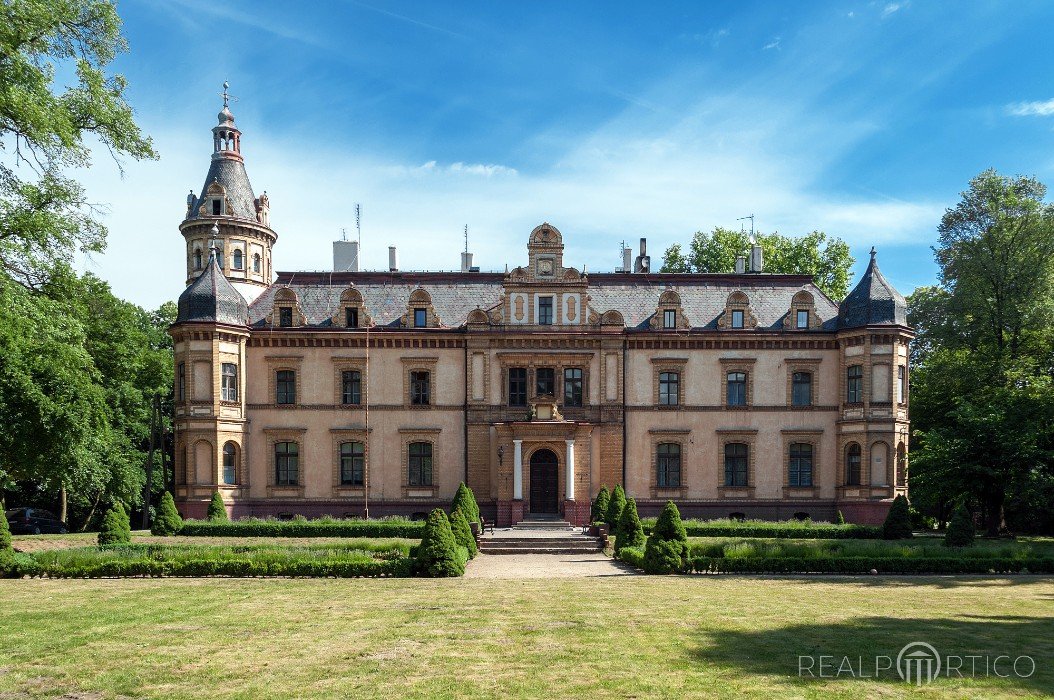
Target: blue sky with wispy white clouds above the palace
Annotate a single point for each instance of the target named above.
(611, 121)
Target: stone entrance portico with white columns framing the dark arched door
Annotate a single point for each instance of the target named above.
(572, 443)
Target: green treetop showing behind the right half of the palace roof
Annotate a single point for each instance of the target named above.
(826, 259)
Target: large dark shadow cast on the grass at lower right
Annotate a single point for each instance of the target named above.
(868, 648)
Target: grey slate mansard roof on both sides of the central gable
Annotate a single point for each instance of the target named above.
(636, 298)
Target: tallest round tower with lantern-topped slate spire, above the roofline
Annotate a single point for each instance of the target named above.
(229, 217)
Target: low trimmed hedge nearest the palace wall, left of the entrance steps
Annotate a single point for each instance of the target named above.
(305, 529)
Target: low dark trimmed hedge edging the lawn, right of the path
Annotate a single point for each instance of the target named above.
(866, 565)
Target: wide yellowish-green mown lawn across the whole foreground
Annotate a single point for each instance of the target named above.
(668, 637)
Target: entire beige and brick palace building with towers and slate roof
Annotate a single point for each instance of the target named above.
(328, 393)
